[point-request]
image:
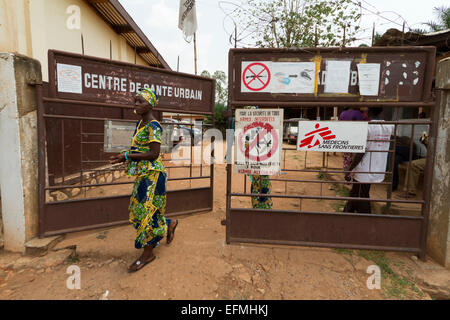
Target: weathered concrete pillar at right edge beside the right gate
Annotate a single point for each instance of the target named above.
(439, 227)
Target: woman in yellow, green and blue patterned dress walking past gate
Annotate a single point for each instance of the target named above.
(148, 200)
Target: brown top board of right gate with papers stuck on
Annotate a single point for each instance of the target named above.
(376, 74)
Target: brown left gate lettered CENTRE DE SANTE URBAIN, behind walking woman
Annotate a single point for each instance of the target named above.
(78, 188)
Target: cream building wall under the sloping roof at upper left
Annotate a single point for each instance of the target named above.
(32, 27)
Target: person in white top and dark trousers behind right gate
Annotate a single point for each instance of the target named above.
(369, 162)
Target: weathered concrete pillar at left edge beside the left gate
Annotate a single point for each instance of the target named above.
(18, 142)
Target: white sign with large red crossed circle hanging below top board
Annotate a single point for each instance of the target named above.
(258, 141)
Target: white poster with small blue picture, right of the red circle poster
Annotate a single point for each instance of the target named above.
(293, 77)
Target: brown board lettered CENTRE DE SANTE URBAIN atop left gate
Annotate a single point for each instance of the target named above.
(77, 77)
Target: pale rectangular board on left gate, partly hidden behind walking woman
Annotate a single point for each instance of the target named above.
(118, 136)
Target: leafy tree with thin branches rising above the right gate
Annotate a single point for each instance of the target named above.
(298, 23)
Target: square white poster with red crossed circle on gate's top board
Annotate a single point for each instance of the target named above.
(256, 76)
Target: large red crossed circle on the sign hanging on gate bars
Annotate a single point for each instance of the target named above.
(267, 128)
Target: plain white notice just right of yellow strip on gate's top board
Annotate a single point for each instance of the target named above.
(338, 76)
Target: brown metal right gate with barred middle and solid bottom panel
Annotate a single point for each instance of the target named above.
(304, 184)
